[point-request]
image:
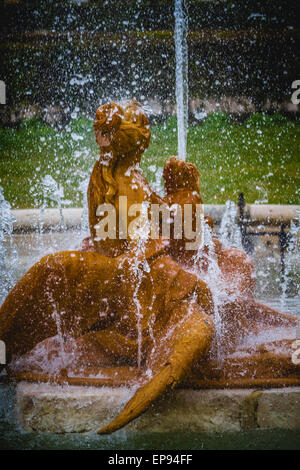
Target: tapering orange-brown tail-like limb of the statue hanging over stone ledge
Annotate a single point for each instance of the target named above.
(186, 337)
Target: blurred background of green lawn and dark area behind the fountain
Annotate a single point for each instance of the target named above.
(61, 59)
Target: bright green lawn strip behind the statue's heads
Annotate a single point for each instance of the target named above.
(259, 157)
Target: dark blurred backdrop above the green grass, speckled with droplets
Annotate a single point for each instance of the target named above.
(74, 55)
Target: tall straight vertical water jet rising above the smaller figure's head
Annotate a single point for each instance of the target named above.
(181, 50)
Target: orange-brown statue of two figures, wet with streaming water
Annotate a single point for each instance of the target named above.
(139, 310)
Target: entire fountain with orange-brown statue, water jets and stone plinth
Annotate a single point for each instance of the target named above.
(94, 335)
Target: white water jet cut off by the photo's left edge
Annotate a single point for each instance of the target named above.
(7, 260)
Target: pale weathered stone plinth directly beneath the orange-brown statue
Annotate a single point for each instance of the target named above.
(75, 409)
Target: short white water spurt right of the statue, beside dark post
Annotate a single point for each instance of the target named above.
(230, 234)
